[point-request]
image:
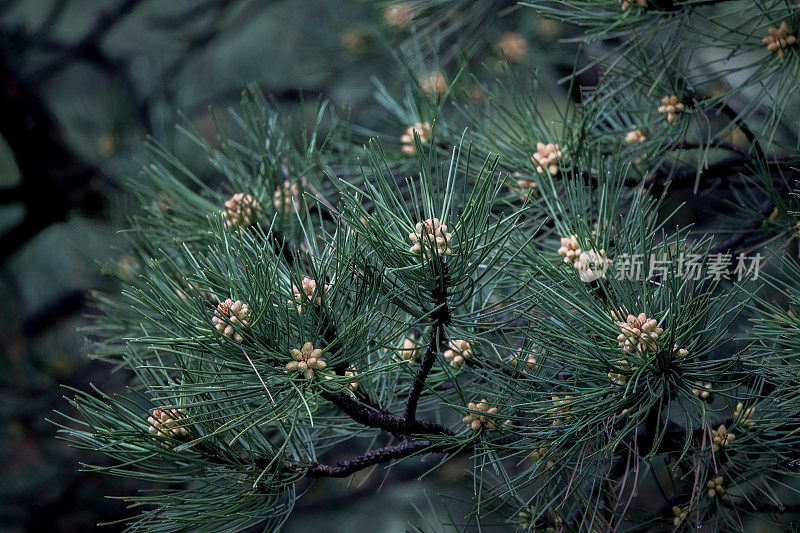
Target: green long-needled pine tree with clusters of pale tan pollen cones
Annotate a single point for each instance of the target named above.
(503, 276)
